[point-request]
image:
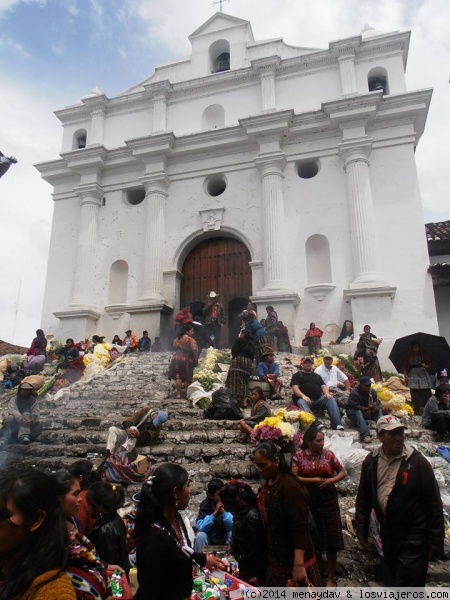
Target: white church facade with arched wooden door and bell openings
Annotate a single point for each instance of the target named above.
(251, 168)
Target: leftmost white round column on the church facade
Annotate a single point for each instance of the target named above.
(90, 202)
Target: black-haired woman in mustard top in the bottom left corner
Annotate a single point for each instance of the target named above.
(33, 538)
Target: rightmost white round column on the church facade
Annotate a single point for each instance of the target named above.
(362, 218)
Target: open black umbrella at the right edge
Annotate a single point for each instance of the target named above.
(434, 346)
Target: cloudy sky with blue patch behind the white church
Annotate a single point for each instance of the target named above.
(55, 51)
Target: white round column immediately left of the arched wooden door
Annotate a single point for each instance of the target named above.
(156, 187)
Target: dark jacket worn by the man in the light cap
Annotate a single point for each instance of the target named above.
(414, 507)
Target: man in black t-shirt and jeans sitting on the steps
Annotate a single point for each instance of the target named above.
(310, 393)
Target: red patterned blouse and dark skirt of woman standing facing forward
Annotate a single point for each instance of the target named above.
(323, 503)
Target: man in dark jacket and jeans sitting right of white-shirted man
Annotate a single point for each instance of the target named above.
(362, 406)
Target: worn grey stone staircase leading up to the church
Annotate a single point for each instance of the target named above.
(75, 426)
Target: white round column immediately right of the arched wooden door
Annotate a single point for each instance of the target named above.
(273, 225)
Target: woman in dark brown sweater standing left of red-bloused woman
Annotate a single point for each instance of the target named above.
(283, 507)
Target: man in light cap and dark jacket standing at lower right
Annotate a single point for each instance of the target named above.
(399, 484)
